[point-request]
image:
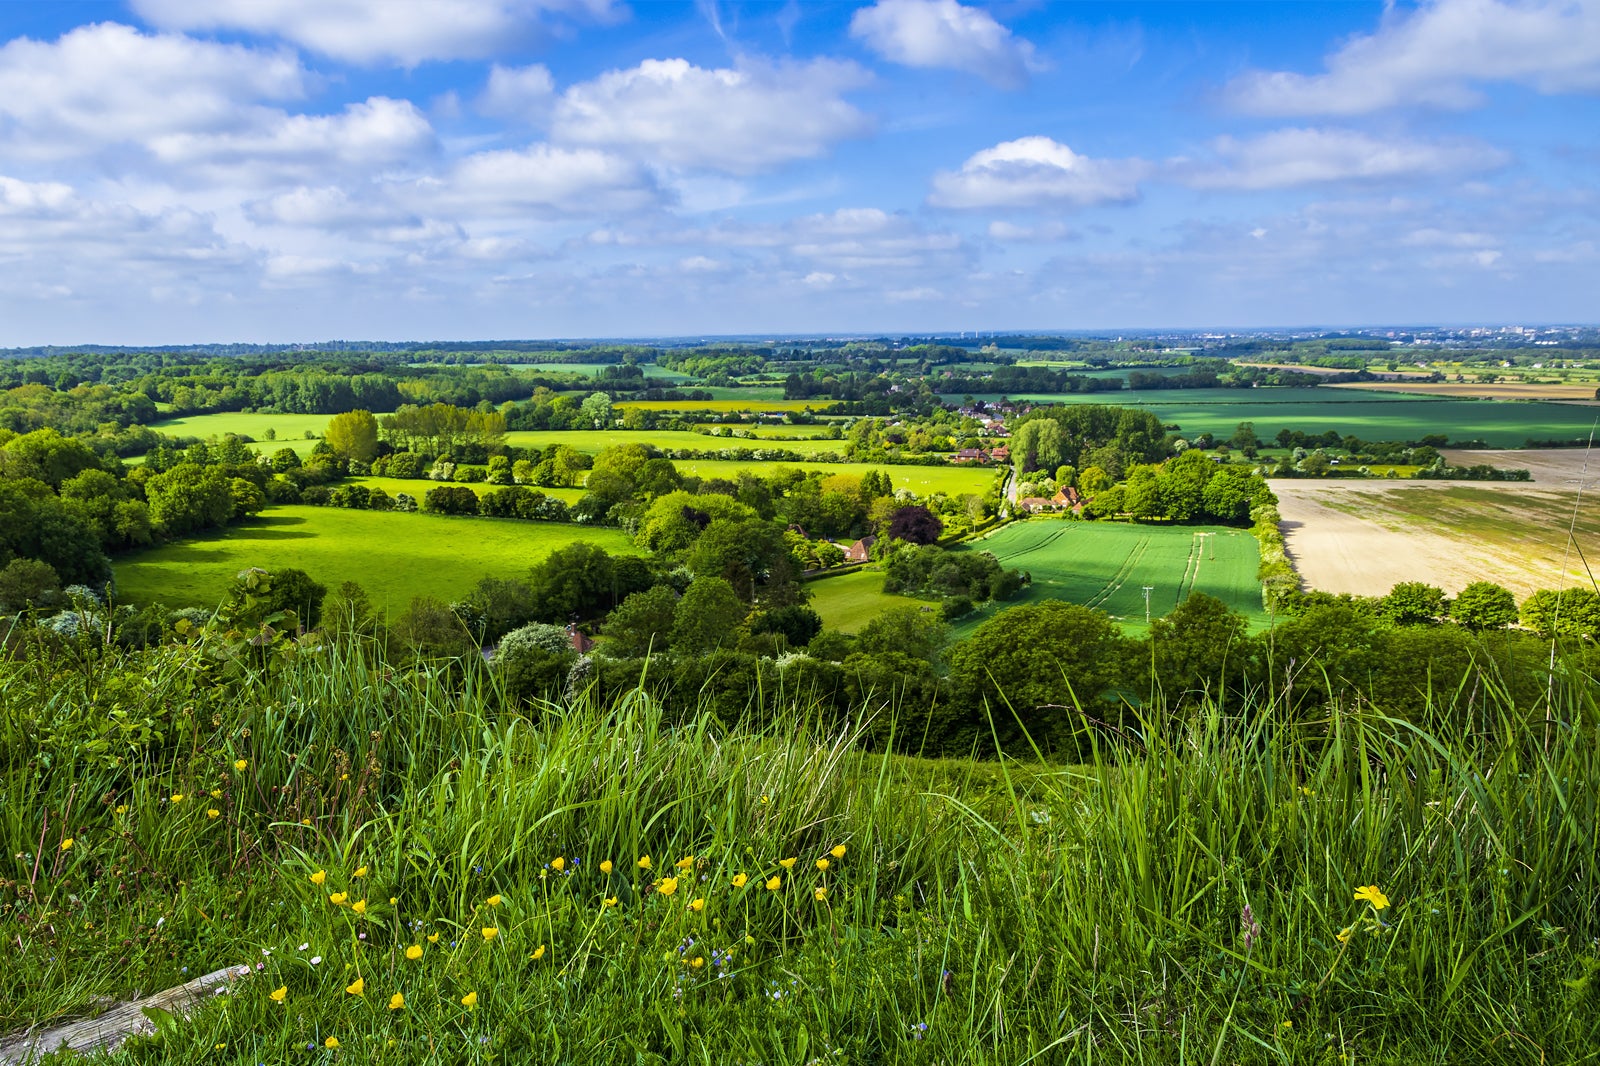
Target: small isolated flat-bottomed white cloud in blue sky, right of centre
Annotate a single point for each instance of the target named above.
(1036, 172)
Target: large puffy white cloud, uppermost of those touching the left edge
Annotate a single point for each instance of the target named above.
(108, 84)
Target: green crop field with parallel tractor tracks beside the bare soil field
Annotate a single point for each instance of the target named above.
(1106, 566)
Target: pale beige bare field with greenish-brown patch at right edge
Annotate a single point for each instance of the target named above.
(1367, 537)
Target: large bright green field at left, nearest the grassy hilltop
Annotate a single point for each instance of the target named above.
(393, 556)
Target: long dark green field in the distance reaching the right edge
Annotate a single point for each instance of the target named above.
(1369, 415)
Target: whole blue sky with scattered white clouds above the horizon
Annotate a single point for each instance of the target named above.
(295, 170)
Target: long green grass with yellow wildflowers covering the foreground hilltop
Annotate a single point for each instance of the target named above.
(1209, 894)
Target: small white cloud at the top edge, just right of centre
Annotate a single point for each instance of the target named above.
(945, 34)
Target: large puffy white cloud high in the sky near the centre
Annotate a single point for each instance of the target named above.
(740, 121)
